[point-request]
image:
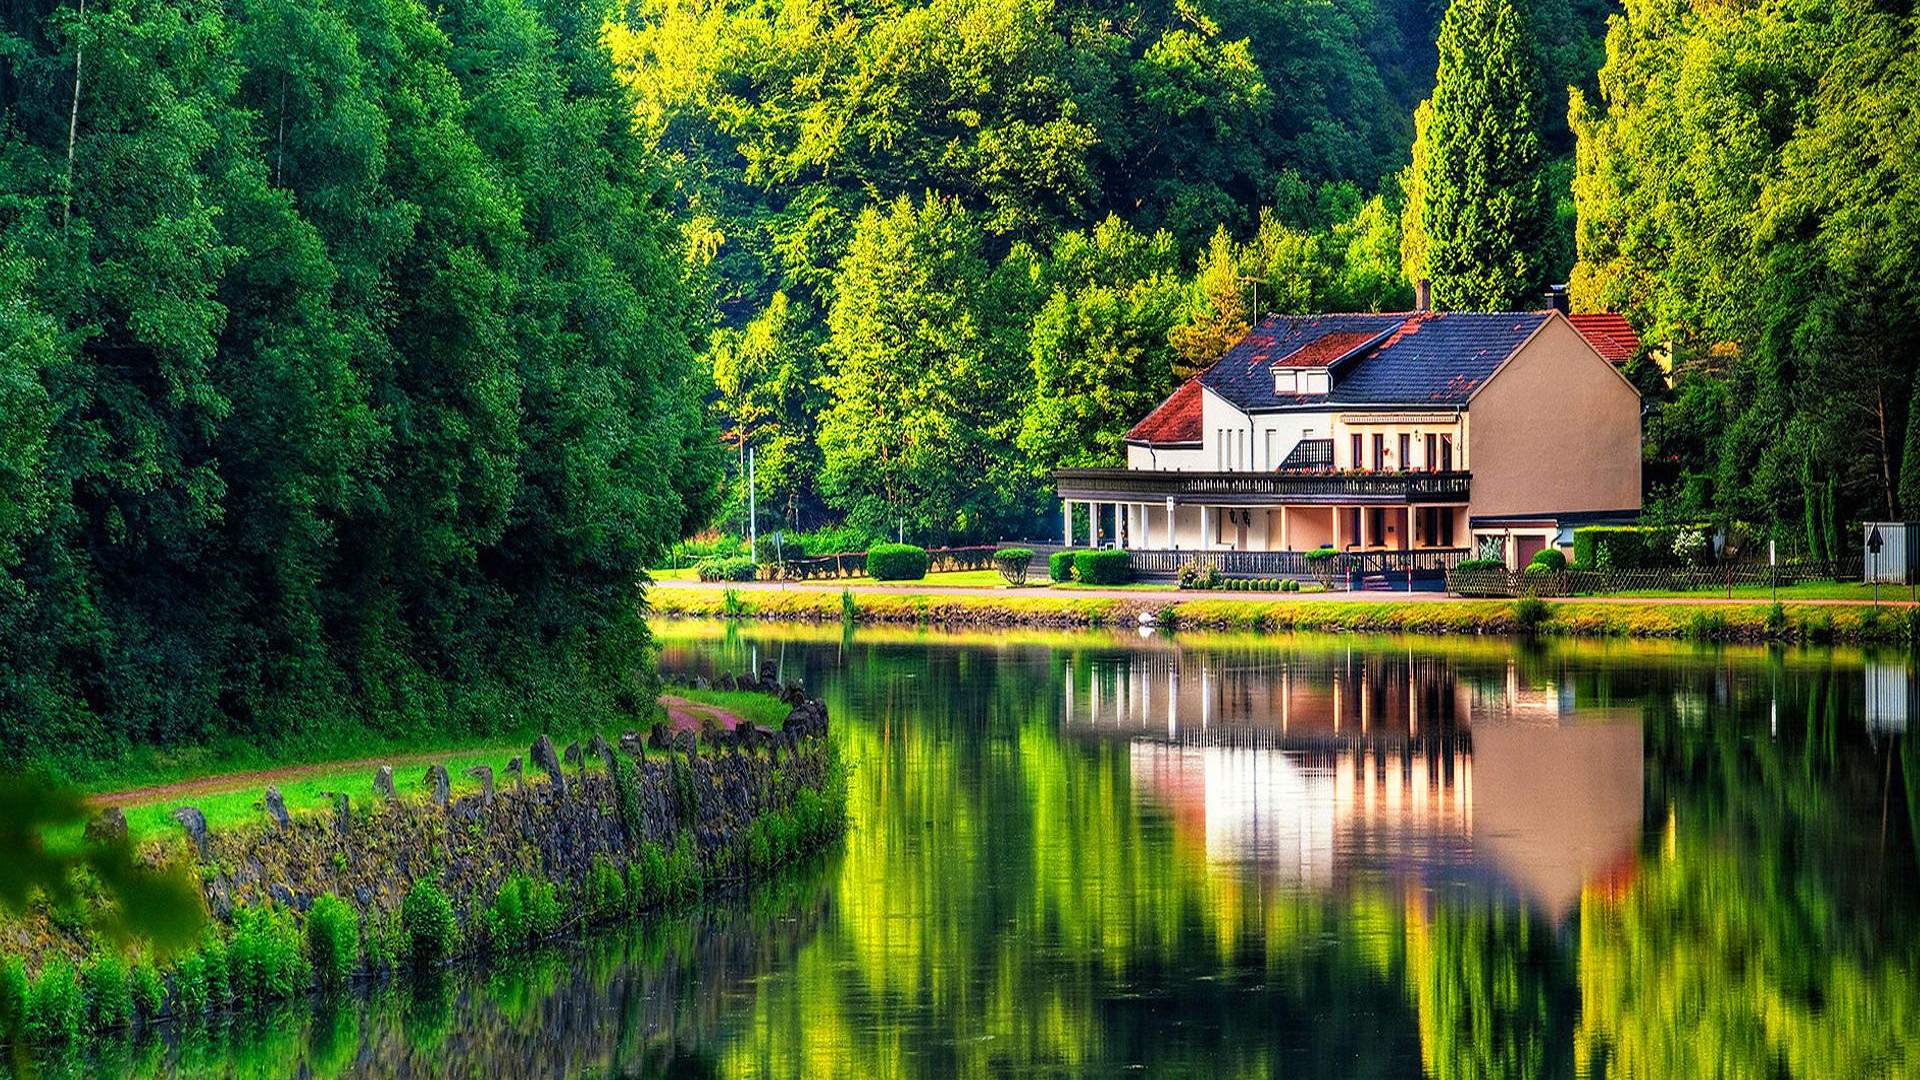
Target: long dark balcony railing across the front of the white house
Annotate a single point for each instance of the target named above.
(1245, 489)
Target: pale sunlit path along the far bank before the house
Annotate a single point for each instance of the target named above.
(1178, 597)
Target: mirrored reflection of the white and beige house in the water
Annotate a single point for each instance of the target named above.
(1320, 770)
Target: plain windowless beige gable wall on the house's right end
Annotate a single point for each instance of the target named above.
(1556, 430)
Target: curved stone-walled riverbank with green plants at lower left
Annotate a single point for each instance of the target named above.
(314, 900)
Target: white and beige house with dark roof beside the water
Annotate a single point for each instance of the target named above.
(1414, 439)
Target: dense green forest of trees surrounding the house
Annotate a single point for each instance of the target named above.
(358, 356)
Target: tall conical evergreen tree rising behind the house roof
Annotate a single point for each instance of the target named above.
(1483, 201)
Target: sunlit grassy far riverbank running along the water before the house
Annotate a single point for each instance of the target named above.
(1347, 612)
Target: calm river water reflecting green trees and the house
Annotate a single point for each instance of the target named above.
(1230, 856)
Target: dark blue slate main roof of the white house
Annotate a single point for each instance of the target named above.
(1429, 358)
